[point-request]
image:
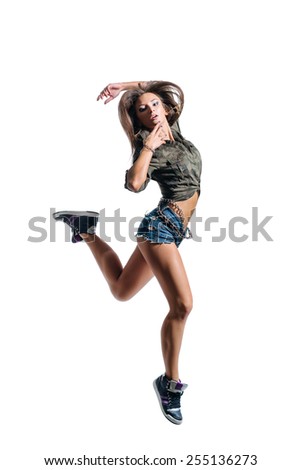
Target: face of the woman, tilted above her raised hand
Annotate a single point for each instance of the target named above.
(150, 110)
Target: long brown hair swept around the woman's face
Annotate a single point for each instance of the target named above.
(170, 94)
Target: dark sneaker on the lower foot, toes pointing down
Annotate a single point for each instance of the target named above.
(169, 394)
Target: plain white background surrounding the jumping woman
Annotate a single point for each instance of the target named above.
(76, 365)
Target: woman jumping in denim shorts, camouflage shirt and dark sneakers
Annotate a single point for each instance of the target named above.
(149, 113)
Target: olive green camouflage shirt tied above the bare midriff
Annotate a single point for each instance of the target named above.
(175, 165)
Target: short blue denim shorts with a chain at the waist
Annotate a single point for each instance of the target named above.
(162, 225)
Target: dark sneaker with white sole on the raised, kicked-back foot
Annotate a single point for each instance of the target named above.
(79, 222)
